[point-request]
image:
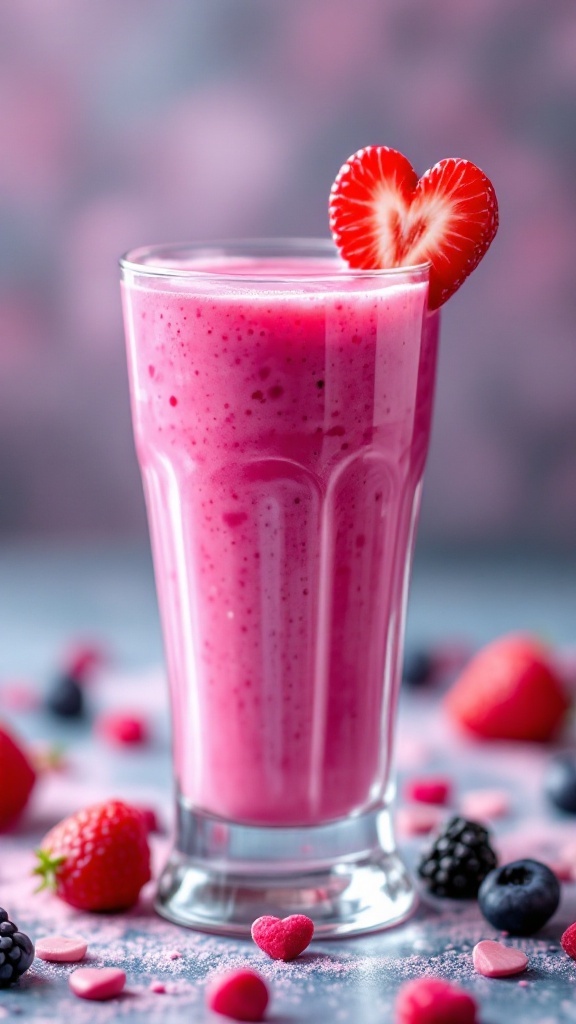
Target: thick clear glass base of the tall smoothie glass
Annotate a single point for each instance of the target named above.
(346, 876)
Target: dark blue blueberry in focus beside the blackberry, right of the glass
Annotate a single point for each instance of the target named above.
(520, 898)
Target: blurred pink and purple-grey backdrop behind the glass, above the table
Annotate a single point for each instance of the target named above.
(141, 121)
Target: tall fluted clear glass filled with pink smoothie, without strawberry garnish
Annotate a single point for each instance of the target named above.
(282, 411)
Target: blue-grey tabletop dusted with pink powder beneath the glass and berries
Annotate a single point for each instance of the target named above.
(50, 598)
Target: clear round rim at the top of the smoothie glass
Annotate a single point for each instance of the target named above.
(141, 261)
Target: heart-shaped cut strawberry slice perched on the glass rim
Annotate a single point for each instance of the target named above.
(383, 217)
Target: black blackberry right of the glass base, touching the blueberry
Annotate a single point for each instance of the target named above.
(459, 861)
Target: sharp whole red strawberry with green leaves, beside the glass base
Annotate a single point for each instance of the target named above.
(99, 859)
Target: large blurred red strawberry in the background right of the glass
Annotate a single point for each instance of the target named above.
(510, 691)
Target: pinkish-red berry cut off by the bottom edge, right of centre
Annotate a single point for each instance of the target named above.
(431, 1001)
